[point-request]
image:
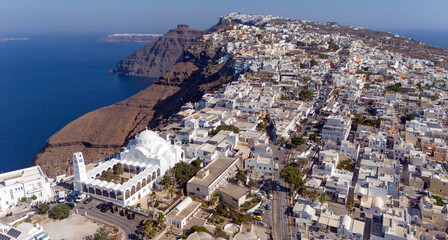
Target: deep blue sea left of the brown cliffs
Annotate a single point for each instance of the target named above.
(50, 80)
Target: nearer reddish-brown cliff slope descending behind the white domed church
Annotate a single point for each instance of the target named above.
(101, 133)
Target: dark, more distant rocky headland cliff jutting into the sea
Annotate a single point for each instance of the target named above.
(157, 57)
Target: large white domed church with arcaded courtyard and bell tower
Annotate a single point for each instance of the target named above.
(146, 158)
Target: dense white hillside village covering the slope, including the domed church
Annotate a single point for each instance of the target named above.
(317, 136)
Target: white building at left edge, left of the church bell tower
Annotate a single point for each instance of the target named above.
(27, 182)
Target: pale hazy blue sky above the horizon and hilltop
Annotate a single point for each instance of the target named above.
(110, 16)
